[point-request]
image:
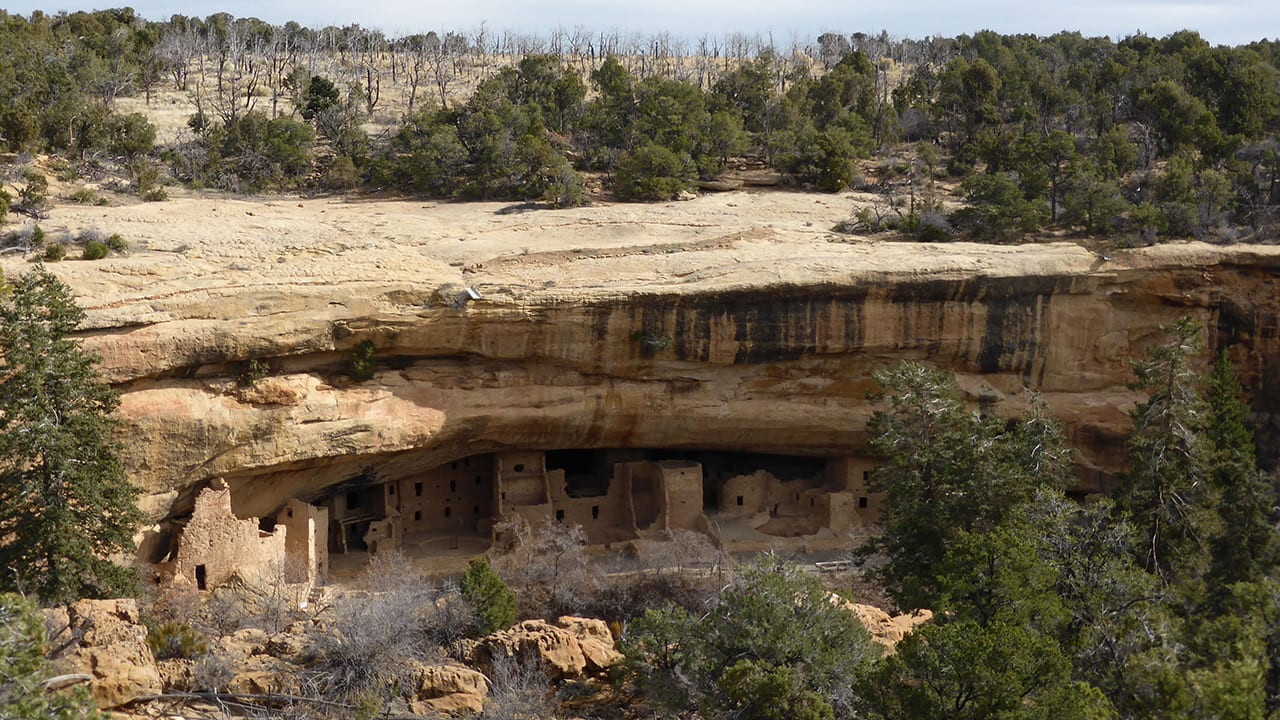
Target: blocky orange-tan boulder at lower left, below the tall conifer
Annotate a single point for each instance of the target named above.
(112, 646)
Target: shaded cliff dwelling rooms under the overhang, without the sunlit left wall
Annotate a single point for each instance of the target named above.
(742, 500)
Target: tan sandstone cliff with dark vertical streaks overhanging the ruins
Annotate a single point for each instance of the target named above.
(734, 322)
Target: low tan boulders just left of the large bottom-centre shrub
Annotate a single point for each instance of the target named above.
(570, 649)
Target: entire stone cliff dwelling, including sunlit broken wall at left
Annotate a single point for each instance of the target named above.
(744, 502)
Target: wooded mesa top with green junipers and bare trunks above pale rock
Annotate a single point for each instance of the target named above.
(989, 136)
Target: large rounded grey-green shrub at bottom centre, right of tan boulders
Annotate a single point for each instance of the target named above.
(772, 641)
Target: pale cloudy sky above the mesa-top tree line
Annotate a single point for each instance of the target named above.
(1223, 22)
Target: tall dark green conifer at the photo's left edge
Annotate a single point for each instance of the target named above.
(66, 507)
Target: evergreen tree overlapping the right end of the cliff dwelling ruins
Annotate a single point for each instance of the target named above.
(949, 471)
